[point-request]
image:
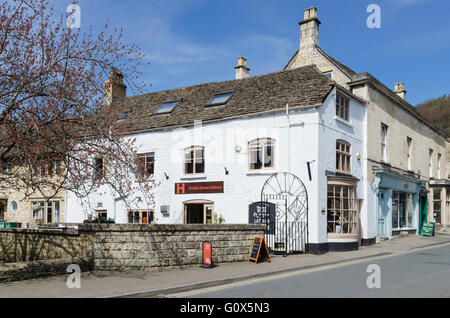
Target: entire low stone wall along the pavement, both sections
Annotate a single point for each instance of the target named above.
(128, 247)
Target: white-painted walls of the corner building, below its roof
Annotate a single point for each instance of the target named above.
(227, 147)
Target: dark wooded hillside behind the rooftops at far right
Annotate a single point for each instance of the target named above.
(438, 110)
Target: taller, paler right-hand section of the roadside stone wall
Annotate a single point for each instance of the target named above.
(134, 247)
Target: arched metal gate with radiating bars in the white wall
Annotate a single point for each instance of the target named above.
(287, 231)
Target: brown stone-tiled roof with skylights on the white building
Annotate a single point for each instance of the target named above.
(302, 87)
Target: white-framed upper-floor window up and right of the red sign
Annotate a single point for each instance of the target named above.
(261, 154)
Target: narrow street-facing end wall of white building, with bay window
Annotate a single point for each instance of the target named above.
(341, 170)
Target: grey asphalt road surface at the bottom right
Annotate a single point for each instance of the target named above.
(423, 273)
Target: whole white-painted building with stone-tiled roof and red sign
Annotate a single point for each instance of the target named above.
(220, 143)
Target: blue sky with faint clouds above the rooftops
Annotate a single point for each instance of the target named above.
(197, 41)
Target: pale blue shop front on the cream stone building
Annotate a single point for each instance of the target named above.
(400, 203)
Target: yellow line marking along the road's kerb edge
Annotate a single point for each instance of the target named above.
(296, 273)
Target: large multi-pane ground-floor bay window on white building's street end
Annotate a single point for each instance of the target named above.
(342, 209)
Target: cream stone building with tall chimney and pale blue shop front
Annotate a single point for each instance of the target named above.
(407, 155)
